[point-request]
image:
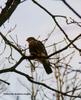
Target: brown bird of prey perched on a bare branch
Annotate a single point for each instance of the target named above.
(37, 49)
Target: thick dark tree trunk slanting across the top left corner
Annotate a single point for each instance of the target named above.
(10, 7)
